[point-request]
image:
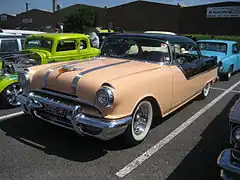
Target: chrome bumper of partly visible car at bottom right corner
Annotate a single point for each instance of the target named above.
(229, 168)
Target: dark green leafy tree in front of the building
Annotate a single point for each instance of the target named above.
(81, 20)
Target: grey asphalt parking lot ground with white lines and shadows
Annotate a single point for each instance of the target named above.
(184, 146)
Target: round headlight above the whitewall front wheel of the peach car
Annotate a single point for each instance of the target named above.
(105, 96)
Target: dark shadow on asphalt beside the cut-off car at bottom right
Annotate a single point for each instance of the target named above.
(201, 161)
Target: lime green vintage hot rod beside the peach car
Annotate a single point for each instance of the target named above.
(41, 49)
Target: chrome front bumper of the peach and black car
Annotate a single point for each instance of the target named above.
(81, 123)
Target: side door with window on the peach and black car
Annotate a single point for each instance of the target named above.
(185, 73)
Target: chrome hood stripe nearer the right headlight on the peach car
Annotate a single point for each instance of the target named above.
(81, 74)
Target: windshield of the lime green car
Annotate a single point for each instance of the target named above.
(39, 43)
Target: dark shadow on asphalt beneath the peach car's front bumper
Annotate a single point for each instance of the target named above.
(58, 141)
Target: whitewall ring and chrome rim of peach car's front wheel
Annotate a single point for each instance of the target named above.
(142, 120)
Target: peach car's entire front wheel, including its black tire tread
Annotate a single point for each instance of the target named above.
(141, 123)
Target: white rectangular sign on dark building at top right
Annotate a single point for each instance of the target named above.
(223, 12)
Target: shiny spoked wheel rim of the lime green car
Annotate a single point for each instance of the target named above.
(11, 94)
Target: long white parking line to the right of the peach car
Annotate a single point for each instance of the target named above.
(140, 159)
